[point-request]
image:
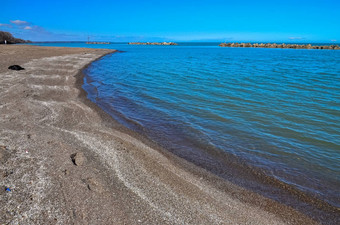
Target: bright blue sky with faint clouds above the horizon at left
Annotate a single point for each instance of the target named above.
(176, 20)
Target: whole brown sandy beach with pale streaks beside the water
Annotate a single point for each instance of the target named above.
(120, 178)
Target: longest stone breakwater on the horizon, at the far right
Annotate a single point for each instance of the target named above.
(269, 45)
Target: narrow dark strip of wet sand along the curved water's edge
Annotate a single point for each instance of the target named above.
(244, 195)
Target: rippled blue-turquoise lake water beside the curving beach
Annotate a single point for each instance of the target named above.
(275, 110)
